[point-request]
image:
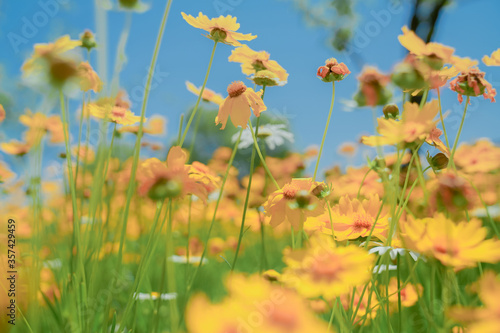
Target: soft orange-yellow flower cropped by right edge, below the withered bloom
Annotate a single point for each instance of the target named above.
(483, 156)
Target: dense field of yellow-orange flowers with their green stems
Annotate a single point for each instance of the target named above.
(352, 235)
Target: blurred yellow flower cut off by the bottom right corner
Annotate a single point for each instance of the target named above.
(484, 319)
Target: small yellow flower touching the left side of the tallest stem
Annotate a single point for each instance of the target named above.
(114, 109)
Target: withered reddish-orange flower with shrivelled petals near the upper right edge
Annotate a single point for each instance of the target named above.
(472, 83)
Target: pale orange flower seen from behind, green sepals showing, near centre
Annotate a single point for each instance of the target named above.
(295, 202)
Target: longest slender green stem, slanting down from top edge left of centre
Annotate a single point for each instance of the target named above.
(137, 148)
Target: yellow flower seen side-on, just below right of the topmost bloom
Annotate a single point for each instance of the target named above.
(253, 61)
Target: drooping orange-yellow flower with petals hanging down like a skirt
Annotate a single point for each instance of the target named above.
(238, 104)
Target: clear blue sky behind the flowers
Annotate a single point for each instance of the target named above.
(471, 27)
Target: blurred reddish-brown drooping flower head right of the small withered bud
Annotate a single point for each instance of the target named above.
(372, 88)
